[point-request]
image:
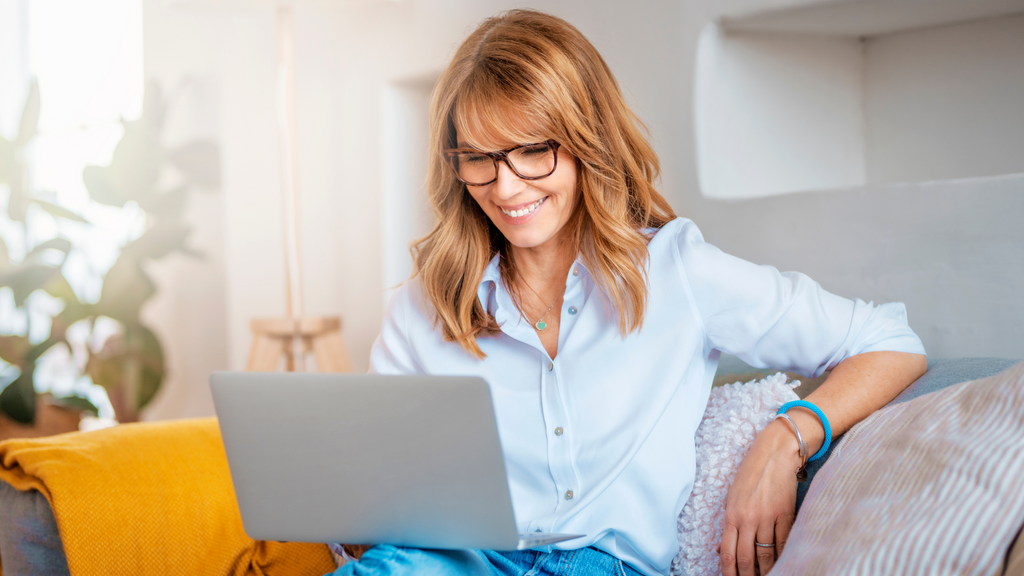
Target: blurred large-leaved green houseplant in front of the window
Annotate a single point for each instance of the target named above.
(131, 365)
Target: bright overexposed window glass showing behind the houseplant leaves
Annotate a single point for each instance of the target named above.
(88, 59)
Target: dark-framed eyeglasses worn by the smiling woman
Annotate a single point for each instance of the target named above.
(530, 162)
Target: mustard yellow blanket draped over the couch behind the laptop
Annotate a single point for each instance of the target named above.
(150, 499)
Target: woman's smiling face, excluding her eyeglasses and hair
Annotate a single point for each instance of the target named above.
(548, 203)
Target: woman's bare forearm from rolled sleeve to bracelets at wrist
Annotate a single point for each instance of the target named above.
(855, 390)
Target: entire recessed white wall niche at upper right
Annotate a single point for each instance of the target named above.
(788, 112)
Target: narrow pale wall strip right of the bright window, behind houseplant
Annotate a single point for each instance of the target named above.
(190, 311)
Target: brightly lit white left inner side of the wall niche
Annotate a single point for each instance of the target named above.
(778, 113)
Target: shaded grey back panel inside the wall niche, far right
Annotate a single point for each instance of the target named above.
(947, 103)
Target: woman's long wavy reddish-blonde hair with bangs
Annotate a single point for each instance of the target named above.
(528, 76)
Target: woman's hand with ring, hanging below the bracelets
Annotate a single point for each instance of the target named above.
(762, 503)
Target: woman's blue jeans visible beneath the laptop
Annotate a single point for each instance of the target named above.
(392, 561)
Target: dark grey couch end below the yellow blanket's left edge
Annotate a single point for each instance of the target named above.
(30, 544)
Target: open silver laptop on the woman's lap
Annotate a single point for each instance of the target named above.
(368, 460)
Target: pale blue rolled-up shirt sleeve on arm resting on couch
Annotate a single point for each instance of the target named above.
(784, 320)
